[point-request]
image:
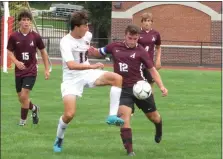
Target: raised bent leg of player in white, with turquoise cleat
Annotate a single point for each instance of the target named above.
(102, 78)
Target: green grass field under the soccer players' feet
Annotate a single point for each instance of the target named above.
(191, 116)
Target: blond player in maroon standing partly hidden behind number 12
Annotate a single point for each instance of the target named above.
(151, 41)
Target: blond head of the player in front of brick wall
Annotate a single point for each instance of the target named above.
(146, 21)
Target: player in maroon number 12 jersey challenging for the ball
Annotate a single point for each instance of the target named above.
(129, 57)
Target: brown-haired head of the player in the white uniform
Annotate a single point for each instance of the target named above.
(79, 22)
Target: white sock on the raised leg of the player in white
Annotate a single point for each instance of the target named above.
(115, 94)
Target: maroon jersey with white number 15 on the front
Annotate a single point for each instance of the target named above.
(24, 48)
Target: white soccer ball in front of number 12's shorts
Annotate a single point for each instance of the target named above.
(142, 90)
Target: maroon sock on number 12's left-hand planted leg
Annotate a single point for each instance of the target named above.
(126, 135)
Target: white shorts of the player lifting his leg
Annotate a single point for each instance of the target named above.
(76, 86)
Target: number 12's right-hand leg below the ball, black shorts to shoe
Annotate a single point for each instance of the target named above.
(148, 106)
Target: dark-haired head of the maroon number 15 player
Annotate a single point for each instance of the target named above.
(25, 19)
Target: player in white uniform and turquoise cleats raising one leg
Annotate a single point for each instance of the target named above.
(79, 73)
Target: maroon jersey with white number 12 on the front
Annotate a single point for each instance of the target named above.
(128, 62)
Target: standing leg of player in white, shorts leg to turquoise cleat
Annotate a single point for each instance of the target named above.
(70, 90)
